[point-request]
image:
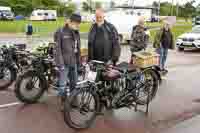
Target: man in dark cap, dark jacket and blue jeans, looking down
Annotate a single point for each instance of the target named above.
(67, 53)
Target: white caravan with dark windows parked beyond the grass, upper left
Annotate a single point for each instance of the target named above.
(43, 15)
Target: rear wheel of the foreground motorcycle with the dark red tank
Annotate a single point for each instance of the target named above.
(147, 92)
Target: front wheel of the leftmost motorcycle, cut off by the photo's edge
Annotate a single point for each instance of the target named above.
(7, 77)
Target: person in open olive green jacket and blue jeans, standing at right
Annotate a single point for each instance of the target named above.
(164, 41)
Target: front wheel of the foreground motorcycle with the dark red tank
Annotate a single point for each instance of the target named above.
(81, 109)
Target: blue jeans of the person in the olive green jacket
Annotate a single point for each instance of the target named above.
(163, 52)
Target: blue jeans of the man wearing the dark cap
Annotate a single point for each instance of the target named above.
(67, 74)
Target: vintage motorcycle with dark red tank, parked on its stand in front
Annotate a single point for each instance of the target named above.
(129, 87)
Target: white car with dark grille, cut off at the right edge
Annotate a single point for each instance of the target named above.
(189, 40)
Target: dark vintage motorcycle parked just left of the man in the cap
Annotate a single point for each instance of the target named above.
(42, 74)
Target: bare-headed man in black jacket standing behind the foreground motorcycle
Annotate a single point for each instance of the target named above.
(103, 40)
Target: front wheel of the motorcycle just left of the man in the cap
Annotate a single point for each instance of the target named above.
(30, 87)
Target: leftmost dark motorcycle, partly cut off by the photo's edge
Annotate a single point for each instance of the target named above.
(12, 61)
